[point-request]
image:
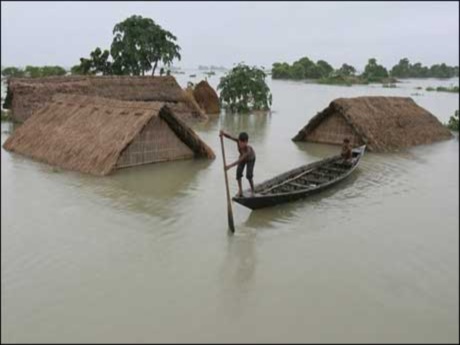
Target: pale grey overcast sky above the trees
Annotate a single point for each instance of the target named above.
(53, 33)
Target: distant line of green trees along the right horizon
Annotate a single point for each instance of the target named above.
(323, 72)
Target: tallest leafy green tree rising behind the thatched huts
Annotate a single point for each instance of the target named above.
(140, 42)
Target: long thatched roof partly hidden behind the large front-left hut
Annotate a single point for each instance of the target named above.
(25, 95)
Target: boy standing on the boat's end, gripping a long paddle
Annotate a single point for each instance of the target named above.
(246, 159)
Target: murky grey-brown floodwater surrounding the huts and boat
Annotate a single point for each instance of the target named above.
(144, 255)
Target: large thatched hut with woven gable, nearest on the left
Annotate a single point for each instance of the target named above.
(98, 135)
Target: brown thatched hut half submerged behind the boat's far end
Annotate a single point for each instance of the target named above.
(382, 123)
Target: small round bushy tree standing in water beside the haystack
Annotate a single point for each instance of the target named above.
(244, 89)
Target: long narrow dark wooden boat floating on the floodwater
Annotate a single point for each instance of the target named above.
(301, 182)
